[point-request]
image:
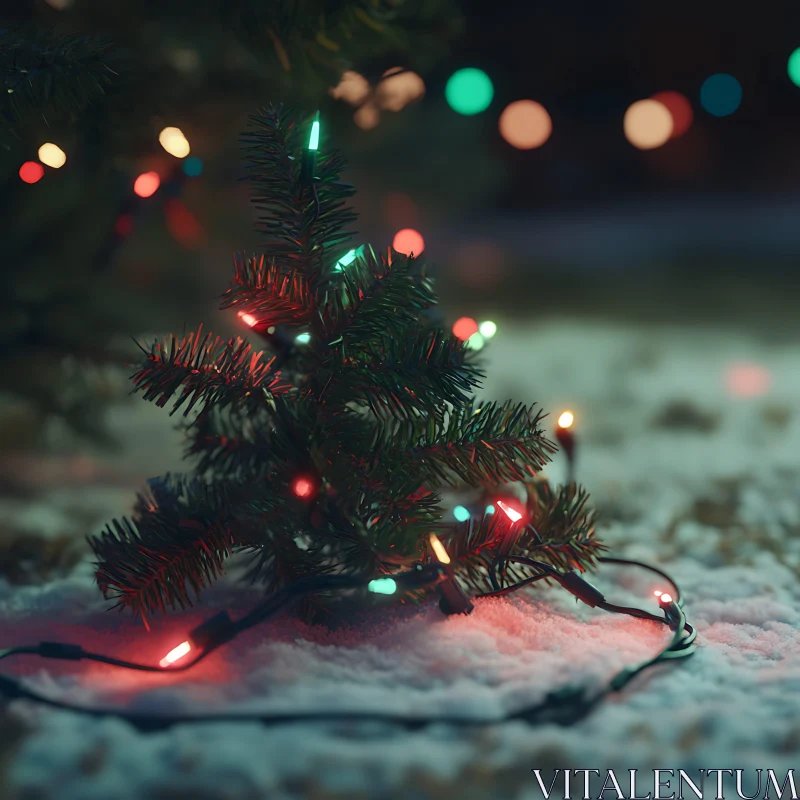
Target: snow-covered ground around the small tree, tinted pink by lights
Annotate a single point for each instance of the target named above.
(689, 441)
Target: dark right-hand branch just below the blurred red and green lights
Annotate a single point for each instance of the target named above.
(418, 374)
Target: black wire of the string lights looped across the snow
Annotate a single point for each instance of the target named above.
(563, 706)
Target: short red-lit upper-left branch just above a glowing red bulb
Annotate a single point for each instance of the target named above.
(273, 297)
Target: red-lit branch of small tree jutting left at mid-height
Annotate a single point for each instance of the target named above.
(207, 369)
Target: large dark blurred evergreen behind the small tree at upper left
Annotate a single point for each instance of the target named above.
(83, 253)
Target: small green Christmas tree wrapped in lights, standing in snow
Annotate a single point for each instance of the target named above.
(329, 455)
